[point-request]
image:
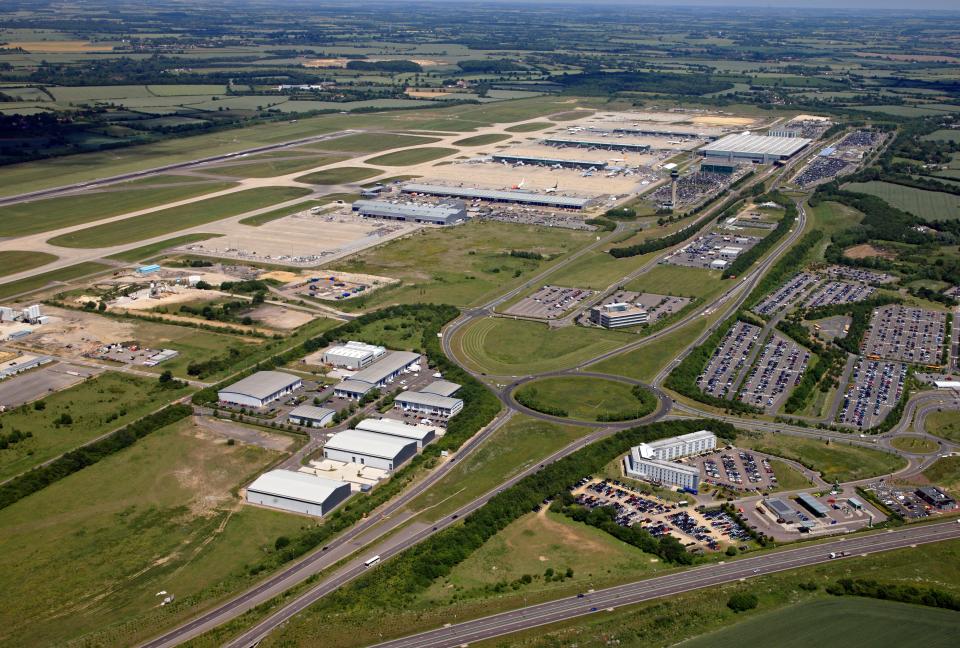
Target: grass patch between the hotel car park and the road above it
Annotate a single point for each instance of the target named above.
(833, 461)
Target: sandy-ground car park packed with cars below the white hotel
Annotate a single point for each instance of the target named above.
(695, 529)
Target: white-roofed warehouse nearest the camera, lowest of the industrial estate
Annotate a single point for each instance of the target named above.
(297, 492)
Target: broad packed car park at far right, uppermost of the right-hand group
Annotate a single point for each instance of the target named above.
(912, 335)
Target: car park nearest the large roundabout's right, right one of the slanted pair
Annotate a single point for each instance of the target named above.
(778, 369)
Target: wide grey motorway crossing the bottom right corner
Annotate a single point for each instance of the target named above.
(685, 581)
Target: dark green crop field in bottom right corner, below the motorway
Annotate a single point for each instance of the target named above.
(841, 623)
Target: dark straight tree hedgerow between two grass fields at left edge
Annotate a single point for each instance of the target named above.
(39, 478)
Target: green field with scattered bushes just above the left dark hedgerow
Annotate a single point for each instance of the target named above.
(97, 405)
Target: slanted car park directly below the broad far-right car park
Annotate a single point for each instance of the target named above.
(875, 388)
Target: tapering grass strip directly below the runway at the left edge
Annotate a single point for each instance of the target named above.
(54, 213)
